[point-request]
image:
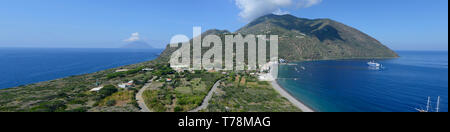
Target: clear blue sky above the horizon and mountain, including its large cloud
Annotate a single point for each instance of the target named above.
(399, 24)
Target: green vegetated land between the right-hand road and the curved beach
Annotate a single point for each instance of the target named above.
(246, 94)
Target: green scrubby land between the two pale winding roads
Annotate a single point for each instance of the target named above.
(185, 93)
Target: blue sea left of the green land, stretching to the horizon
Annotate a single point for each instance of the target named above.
(21, 66)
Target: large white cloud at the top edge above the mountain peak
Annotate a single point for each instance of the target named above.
(251, 9)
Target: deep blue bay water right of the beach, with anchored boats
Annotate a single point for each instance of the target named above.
(402, 84)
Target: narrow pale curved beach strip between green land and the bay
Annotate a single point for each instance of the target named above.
(291, 98)
